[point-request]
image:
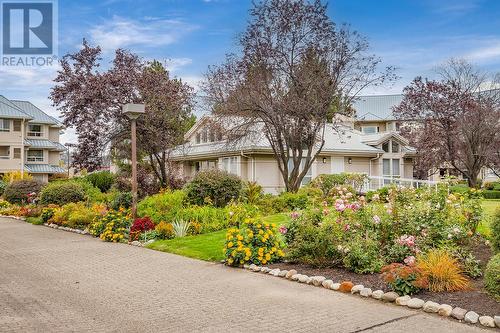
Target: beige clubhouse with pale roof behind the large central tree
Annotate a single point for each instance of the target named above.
(371, 146)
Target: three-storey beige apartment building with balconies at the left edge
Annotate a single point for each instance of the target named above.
(29, 140)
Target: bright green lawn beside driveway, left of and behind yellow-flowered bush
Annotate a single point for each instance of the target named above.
(206, 246)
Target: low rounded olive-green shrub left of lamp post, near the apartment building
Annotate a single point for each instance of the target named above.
(61, 193)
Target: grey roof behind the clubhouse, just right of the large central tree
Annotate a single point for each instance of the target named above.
(376, 107)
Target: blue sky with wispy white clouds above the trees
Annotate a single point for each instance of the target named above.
(415, 36)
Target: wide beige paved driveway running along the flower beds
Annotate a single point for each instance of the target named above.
(55, 281)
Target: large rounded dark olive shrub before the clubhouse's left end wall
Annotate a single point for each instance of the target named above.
(214, 187)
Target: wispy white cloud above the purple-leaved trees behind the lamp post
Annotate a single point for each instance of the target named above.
(121, 32)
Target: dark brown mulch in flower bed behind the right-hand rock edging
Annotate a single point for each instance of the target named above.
(476, 299)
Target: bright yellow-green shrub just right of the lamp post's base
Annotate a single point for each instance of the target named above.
(162, 206)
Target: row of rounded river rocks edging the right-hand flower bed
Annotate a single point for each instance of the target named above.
(444, 310)
